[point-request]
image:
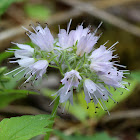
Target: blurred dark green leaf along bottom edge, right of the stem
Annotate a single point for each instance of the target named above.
(97, 136)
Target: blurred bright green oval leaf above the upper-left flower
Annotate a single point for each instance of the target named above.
(39, 12)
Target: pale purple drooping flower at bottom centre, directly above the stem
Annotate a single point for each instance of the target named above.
(70, 81)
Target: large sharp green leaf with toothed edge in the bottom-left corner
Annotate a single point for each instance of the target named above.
(25, 127)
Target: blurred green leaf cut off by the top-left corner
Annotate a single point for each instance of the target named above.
(4, 4)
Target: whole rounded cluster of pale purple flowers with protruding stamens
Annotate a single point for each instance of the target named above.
(80, 63)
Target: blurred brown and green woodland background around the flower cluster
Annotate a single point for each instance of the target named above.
(121, 22)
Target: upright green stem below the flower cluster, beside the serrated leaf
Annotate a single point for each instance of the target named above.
(54, 111)
